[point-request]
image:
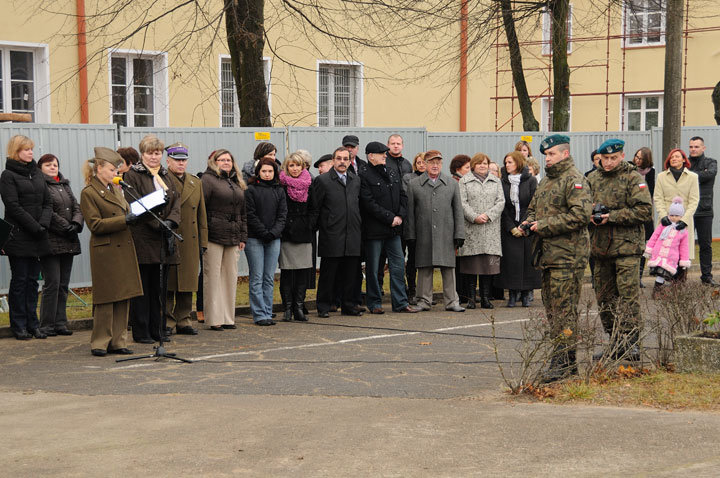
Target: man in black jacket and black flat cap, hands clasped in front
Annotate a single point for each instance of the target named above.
(383, 208)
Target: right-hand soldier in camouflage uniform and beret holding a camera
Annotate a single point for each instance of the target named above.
(617, 240)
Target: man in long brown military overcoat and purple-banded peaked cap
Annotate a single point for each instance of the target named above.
(183, 277)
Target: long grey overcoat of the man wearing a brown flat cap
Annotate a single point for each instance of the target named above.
(435, 219)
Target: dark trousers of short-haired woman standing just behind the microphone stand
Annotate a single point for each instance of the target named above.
(146, 310)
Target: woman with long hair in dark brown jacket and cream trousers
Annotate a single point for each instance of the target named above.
(224, 191)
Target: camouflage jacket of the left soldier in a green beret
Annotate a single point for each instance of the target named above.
(562, 207)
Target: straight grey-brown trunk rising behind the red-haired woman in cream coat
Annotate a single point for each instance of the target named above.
(672, 97)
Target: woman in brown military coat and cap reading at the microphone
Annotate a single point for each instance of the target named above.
(112, 253)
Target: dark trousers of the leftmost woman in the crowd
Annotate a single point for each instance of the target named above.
(23, 293)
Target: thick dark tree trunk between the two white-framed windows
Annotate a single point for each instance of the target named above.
(244, 23)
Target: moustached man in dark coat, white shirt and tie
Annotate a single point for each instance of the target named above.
(335, 197)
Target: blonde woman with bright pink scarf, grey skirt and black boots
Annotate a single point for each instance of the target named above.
(296, 240)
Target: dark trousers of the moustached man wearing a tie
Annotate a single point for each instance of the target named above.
(338, 274)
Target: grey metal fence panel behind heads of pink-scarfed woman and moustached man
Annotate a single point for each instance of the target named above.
(319, 141)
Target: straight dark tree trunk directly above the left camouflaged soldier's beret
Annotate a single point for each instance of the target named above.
(559, 10)
